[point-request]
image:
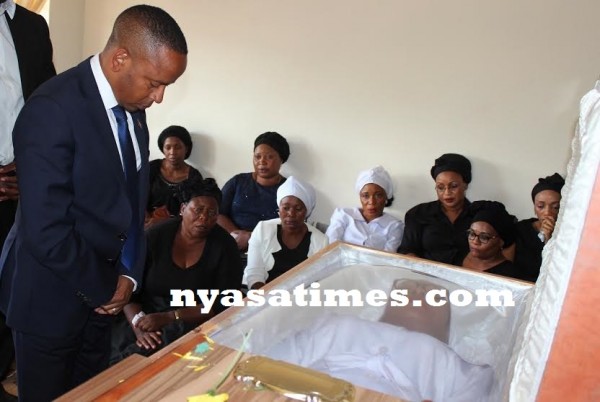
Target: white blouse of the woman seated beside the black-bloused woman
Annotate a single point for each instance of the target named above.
(383, 233)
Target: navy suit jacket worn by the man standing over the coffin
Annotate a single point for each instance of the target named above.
(62, 255)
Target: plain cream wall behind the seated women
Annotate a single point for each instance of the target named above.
(353, 84)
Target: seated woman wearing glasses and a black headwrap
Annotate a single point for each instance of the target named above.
(492, 230)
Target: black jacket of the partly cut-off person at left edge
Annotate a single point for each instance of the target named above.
(34, 49)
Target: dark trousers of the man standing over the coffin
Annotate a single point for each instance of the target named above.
(49, 367)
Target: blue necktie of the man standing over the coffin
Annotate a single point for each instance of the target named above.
(129, 252)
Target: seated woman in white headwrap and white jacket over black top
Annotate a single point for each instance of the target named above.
(277, 245)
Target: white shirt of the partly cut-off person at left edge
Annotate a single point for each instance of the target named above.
(11, 100)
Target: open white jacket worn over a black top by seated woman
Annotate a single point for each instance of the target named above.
(263, 243)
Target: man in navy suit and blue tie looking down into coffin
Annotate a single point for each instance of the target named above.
(75, 253)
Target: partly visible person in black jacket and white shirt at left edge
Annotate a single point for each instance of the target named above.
(26, 63)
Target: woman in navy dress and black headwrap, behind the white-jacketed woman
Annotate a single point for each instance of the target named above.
(249, 198)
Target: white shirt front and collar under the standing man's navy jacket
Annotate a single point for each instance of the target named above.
(109, 100)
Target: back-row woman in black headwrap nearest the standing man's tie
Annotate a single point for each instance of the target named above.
(167, 175)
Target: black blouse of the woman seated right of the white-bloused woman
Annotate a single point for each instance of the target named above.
(428, 233)
